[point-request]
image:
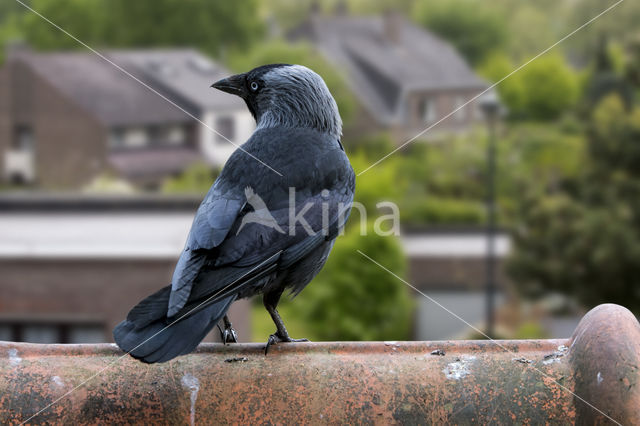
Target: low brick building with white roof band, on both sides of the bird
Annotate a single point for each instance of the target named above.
(74, 265)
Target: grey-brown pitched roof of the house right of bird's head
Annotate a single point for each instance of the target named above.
(381, 69)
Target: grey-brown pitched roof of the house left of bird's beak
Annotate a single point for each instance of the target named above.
(118, 100)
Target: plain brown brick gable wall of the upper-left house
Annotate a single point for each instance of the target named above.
(70, 144)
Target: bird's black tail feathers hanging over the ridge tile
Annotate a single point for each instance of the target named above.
(149, 336)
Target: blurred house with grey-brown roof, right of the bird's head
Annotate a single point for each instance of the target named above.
(404, 77)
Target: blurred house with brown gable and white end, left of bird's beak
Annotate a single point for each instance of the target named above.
(67, 117)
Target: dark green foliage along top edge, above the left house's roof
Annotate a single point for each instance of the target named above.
(209, 26)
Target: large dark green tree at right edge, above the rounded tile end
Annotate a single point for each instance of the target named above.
(584, 239)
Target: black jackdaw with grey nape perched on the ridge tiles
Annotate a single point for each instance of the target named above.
(296, 208)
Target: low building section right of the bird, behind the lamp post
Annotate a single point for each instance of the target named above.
(449, 266)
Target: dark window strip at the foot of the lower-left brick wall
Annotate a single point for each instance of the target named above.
(51, 332)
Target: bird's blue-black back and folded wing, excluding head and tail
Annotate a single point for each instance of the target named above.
(238, 255)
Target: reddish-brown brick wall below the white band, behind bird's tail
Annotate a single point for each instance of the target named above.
(103, 290)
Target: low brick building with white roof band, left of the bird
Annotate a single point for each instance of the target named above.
(72, 266)
